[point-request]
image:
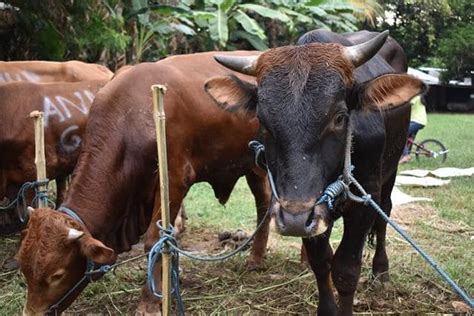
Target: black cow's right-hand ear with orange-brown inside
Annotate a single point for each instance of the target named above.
(390, 91)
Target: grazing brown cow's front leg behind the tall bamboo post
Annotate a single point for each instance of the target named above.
(149, 303)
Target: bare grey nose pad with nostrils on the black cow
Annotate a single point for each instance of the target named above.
(295, 223)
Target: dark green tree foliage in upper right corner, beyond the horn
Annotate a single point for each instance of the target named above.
(433, 32)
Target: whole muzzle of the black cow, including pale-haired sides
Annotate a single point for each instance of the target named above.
(305, 223)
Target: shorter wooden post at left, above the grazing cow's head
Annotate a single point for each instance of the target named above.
(40, 159)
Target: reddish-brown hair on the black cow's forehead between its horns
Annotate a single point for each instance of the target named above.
(302, 59)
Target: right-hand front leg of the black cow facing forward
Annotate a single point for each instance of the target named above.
(347, 261)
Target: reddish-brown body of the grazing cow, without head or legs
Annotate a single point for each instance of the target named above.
(204, 144)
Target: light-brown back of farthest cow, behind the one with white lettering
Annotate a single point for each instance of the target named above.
(51, 71)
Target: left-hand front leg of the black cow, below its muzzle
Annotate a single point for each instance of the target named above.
(319, 256)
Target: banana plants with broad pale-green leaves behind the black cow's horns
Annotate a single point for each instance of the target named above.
(225, 19)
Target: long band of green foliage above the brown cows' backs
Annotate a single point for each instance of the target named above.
(114, 31)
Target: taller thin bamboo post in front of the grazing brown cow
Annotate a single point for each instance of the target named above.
(158, 92)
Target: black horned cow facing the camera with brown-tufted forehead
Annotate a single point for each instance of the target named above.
(305, 96)
